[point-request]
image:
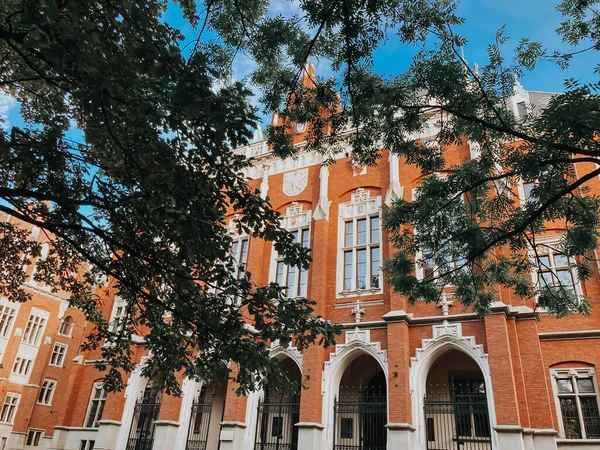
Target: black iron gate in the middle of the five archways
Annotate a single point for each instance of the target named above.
(276, 423)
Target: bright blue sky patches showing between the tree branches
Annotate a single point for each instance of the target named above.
(536, 19)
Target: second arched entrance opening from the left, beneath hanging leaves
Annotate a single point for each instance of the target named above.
(206, 417)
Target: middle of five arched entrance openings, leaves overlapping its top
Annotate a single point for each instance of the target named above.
(279, 412)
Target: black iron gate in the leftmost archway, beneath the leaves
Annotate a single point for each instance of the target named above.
(141, 434)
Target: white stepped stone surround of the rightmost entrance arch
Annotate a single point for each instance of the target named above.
(447, 336)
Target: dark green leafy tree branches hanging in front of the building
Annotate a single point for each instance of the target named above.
(141, 194)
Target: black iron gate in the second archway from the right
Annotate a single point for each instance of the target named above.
(360, 418)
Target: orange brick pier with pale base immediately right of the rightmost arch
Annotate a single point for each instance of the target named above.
(509, 429)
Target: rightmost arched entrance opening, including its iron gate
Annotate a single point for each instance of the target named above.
(455, 404)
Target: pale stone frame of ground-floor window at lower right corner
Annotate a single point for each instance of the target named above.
(573, 373)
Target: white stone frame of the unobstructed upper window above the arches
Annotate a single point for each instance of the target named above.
(361, 205)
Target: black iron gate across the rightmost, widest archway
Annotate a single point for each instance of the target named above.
(457, 422)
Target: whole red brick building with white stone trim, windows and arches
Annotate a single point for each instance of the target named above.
(401, 377)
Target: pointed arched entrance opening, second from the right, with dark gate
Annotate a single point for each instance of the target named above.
(360, 410)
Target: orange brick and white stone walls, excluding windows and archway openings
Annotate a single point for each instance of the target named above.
(515, 350)
